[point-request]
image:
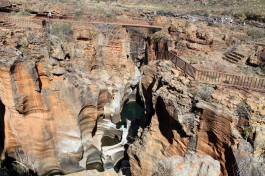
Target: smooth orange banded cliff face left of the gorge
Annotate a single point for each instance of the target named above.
(61, 98)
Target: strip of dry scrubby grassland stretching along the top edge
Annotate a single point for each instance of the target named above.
(250, 9)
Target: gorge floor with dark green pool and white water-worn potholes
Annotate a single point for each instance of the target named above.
(117, 137)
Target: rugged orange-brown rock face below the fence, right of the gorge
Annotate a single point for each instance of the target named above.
(187, 117)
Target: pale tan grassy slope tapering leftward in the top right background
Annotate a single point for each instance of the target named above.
(238, 9)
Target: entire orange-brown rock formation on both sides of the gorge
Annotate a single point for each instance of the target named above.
(63, 86)
